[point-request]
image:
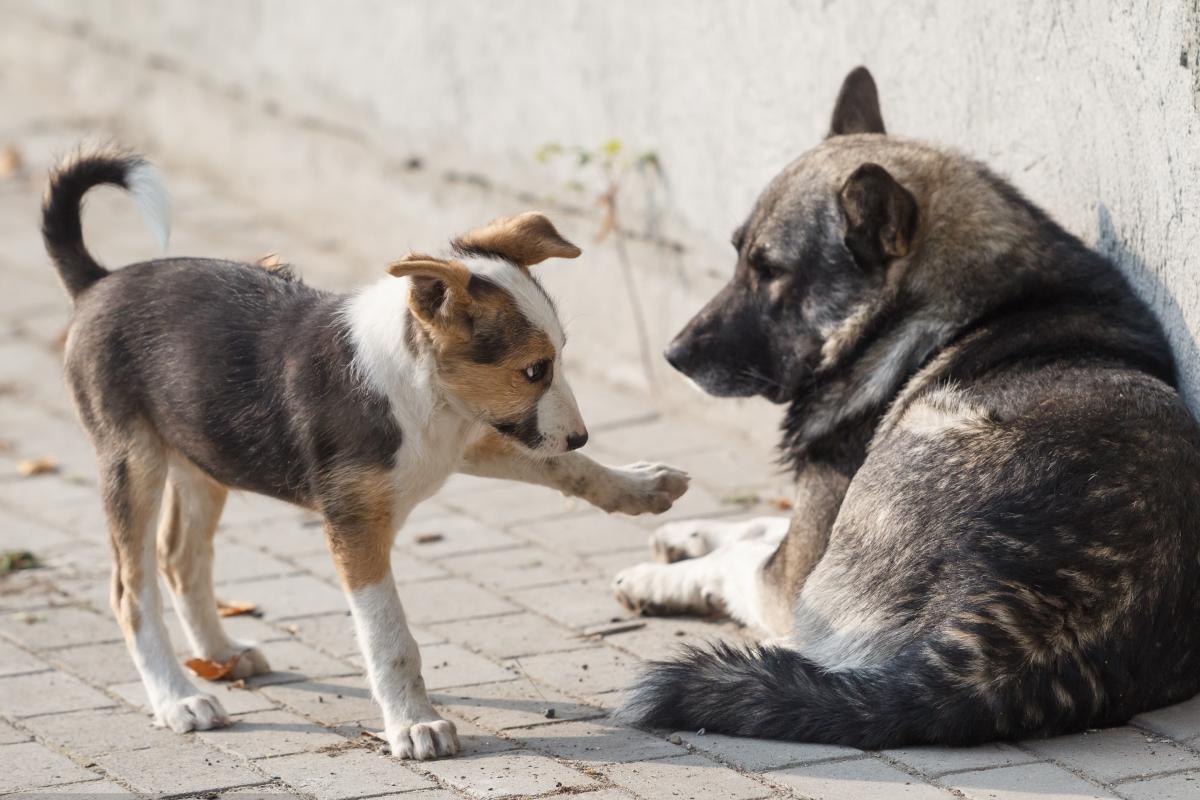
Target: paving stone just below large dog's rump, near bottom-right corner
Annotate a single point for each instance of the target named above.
(1115, 754)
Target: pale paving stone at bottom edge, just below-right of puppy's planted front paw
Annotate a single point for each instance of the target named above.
(512, 774)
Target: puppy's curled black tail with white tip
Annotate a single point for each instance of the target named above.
(63, 209)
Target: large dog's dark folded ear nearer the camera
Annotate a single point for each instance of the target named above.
(881, 216)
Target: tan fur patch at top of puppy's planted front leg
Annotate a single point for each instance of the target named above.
(359, 525)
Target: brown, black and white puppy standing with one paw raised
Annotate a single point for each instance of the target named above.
(196, 376)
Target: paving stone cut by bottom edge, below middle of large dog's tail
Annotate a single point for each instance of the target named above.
(863, 779)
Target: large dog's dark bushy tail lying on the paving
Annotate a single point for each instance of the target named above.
(775, 693)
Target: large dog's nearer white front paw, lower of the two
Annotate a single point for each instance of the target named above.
(730, 580)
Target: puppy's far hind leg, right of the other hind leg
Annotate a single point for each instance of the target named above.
(191, 509)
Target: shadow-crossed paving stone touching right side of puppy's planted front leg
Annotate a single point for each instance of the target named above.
(512, 705)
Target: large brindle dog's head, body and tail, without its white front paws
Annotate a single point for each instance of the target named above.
(998, 525)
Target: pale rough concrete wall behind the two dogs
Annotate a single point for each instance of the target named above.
(389, 125)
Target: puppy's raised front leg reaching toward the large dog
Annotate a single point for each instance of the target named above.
(634, 490)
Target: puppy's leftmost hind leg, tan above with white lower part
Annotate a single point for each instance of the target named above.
(134, 470)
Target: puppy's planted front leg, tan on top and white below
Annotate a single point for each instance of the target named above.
(362, 546)
